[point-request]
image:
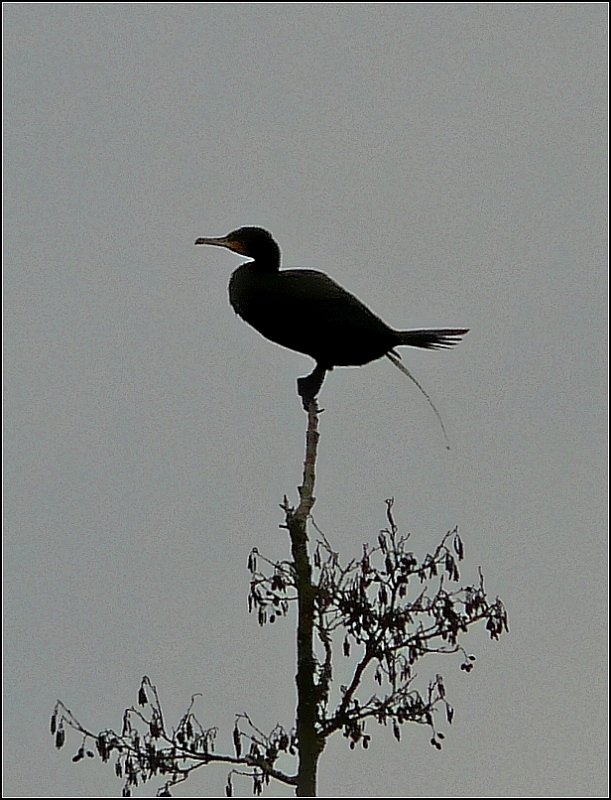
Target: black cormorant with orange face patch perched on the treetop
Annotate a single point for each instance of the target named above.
(307, 311)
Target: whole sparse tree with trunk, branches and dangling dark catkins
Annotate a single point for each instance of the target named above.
(388, 609)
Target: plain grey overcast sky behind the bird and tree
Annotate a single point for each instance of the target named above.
(446, 163)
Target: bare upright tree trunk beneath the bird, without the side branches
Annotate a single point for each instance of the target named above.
(310, 743)
